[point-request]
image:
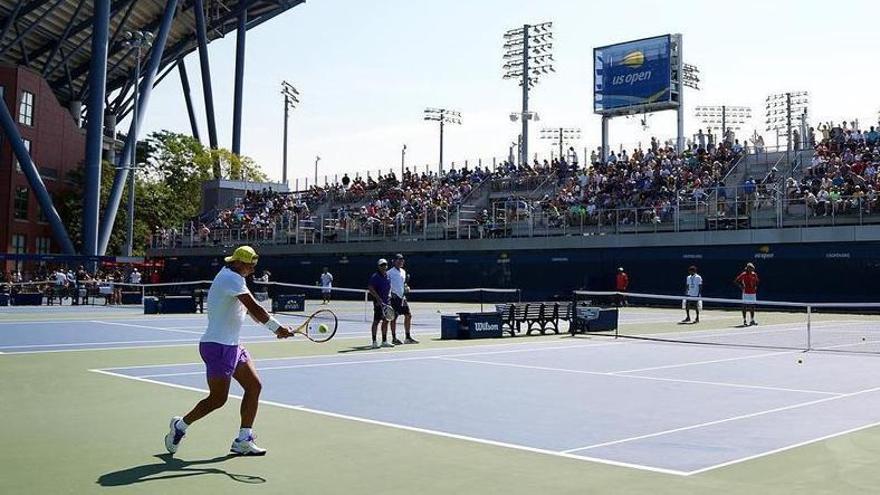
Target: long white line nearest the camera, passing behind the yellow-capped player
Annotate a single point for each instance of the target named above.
(416, 429)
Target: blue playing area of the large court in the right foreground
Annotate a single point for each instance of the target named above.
(672, 408)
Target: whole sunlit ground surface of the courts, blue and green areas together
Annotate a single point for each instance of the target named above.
(94, 387)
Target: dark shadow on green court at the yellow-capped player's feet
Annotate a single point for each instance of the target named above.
(171, 468)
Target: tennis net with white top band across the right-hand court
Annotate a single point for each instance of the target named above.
(839, 327)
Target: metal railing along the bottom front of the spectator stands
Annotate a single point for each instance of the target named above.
(743, 210)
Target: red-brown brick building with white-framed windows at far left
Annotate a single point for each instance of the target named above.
(57, 146)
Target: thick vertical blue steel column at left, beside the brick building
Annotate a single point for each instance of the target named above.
(95, 127)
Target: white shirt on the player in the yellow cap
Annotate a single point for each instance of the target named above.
(226, 313)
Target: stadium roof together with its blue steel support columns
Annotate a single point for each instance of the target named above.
(81, 48)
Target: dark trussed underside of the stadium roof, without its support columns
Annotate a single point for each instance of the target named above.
(53, 37)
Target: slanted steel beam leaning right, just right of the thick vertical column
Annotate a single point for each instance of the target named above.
(131, 140)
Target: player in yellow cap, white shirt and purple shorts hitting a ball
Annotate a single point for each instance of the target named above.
(229, 301)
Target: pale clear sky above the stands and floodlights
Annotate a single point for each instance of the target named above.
(366, 71)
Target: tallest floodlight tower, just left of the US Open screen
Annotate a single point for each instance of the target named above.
(527, 55)
